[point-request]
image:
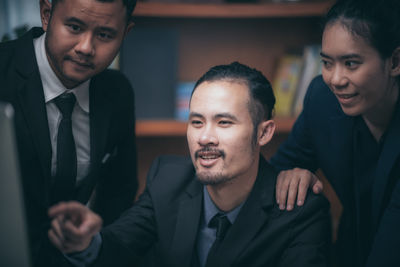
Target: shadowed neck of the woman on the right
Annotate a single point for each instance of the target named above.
(378, 120)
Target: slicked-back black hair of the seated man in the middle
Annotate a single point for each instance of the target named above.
(262, 99)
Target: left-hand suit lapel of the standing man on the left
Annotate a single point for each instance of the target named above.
(31, 99)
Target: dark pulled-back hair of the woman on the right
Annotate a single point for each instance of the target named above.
(376, 21)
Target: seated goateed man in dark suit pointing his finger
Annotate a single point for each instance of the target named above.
(215, 209)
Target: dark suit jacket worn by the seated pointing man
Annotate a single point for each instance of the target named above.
(166, 218)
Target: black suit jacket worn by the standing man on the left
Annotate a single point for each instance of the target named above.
(112, 131)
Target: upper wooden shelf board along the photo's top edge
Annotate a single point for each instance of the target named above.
(261, 10)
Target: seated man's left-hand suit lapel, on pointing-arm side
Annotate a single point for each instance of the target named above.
(187, 224)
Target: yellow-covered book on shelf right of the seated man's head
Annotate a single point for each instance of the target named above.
(285, 83)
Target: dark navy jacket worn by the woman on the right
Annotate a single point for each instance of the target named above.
(322, 137)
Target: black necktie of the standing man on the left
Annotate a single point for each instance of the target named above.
(64, 182)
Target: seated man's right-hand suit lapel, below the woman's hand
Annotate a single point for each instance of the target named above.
(251, 218)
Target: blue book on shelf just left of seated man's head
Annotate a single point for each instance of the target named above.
(183, 93)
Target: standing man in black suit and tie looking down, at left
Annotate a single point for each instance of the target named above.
(68, 59)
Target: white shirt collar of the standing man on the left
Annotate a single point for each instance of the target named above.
(52, 86)
